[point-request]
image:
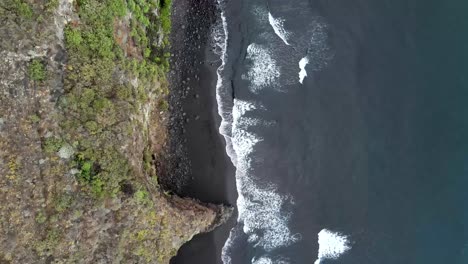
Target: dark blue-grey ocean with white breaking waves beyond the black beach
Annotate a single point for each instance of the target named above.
(372, 147)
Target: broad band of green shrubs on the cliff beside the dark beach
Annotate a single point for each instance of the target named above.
(98, 103)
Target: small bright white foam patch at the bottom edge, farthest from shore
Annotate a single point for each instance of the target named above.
(331, 245)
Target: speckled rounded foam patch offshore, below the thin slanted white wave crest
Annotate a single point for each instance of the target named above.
(263, 72)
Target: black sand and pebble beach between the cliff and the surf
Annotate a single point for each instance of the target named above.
(204, 171)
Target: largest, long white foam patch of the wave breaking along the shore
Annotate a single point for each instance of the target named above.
(259, 206)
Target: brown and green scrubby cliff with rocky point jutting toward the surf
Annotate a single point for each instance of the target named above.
(82, 125)
